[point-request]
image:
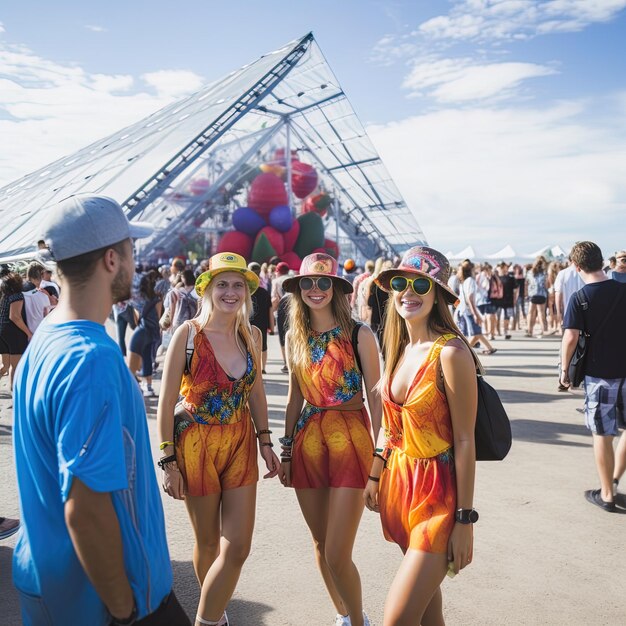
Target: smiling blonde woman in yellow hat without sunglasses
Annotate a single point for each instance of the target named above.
(209, 440)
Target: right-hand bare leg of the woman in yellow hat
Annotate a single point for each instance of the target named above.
(238, 508)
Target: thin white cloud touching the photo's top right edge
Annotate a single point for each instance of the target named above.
(484, 20)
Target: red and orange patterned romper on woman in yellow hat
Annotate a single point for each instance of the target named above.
(216, 446)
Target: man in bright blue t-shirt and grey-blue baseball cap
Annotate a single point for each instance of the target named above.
(92, 549)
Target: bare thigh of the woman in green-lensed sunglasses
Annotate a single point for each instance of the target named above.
(413, 589)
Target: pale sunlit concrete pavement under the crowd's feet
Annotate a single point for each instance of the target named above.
(543, 555)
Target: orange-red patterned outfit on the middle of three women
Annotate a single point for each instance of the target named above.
(332, 446)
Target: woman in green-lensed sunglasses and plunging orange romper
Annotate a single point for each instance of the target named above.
(422, 477)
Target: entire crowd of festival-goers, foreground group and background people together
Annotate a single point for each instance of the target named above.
(380, 413)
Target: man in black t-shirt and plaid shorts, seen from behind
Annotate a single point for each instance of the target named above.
(599, 309)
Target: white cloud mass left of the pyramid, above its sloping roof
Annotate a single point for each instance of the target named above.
(49, 110)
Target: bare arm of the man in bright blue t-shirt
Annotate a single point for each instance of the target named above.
(95, 532)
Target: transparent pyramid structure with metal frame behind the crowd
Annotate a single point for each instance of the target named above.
(187, 167)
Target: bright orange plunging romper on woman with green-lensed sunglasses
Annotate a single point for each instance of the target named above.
(417, 494)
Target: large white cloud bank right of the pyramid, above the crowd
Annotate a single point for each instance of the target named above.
(524, 176)
